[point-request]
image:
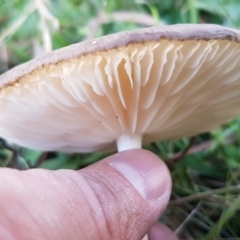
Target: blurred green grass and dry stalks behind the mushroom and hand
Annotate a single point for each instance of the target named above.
(206, 181)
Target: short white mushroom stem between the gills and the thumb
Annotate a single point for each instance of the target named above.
(126, 142)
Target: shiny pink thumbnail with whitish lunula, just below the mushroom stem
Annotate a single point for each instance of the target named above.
(146, 172)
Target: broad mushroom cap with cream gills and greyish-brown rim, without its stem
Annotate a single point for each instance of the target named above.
(160, 83)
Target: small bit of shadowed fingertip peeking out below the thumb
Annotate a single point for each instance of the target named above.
(161, 232)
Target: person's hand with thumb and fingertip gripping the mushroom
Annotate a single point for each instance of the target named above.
(120, 197)
